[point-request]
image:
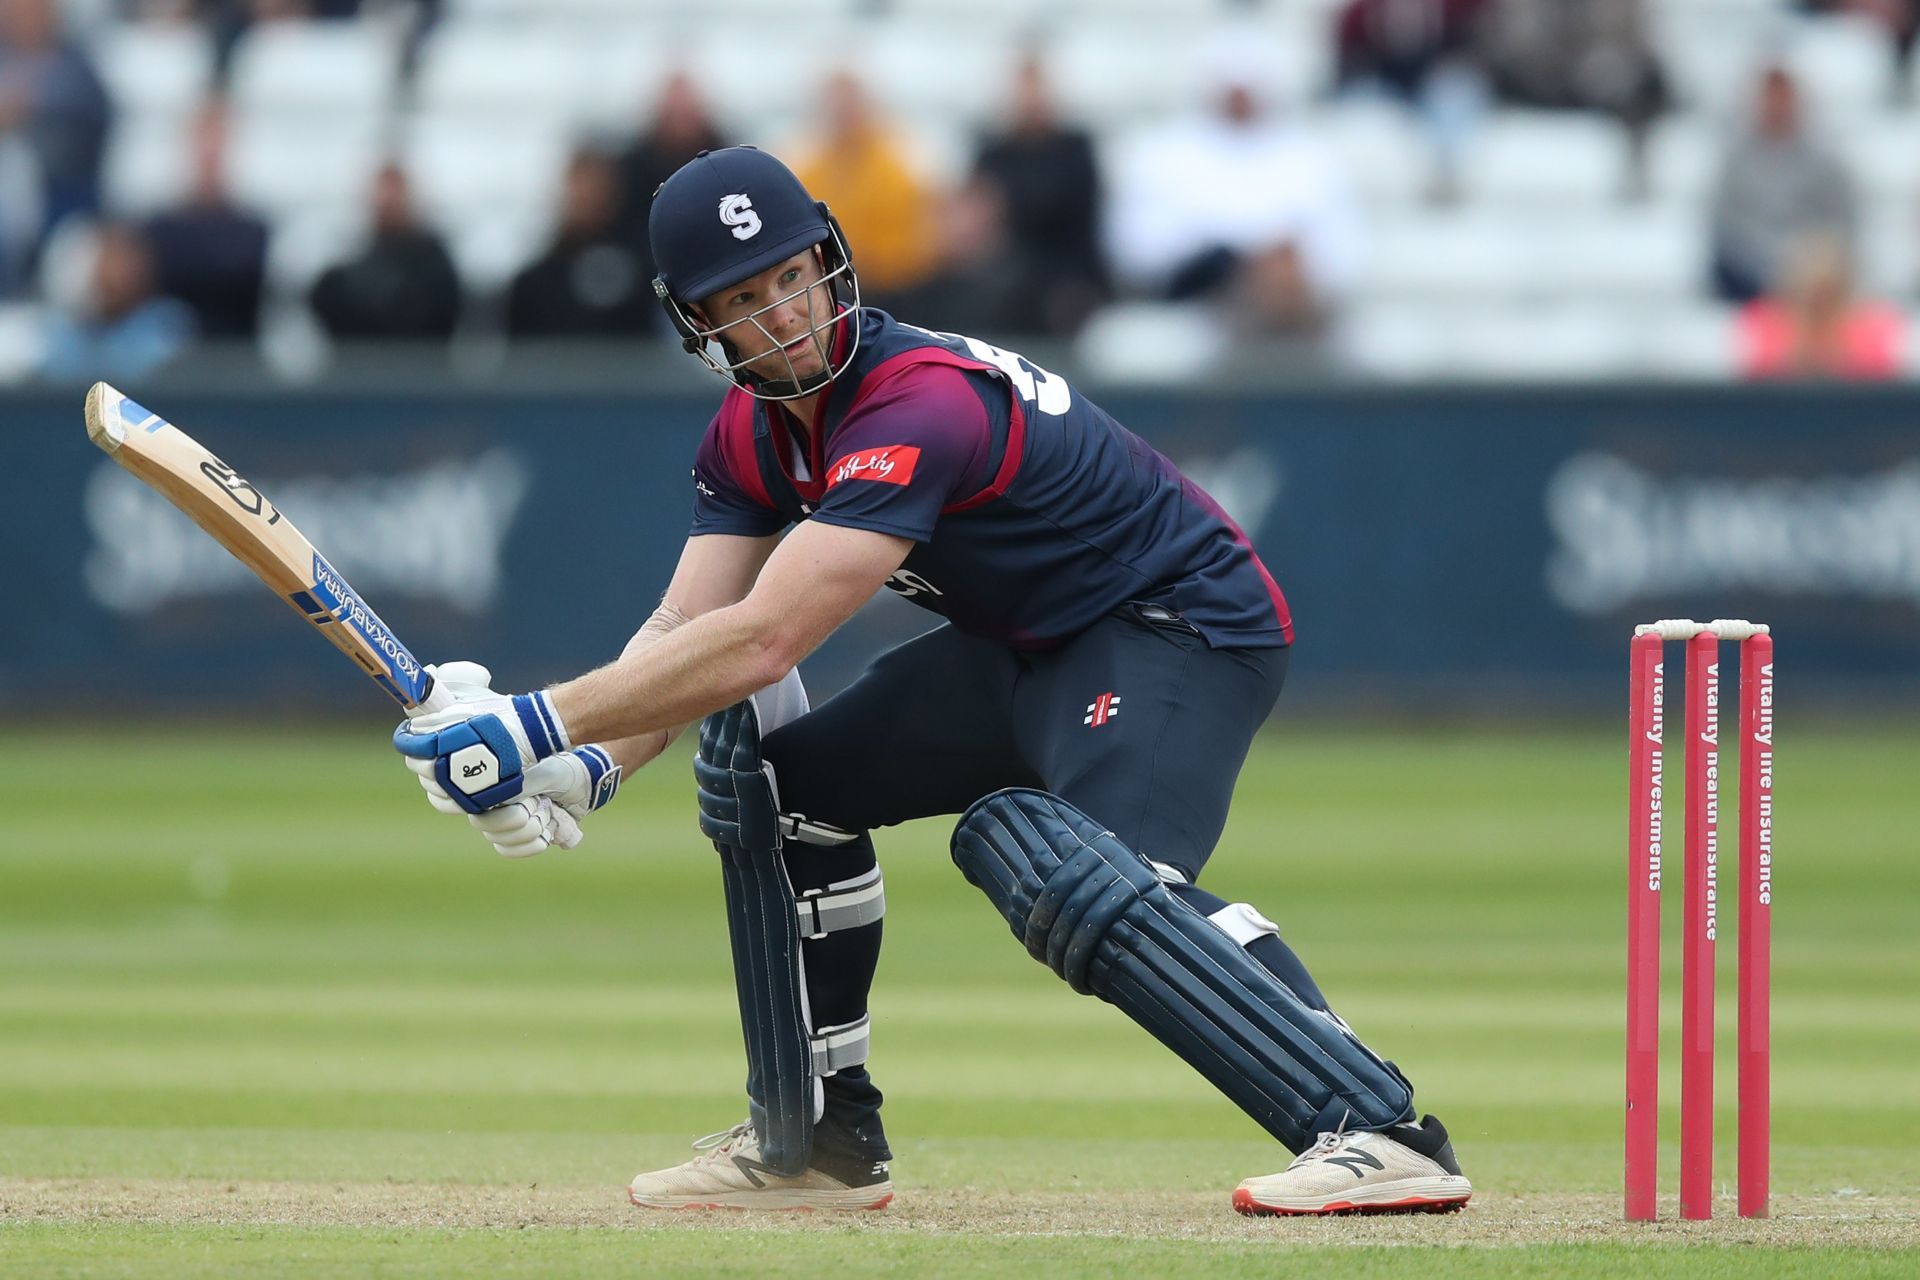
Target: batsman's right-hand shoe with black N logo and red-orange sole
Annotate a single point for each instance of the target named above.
(1404, 1170)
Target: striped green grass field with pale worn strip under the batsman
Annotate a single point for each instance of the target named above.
(262, 1012)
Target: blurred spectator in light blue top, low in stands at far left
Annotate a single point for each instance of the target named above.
(122, 329)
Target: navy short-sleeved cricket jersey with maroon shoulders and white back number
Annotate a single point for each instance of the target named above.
(1034, 513)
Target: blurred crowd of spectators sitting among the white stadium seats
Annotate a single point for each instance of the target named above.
(1237, 212)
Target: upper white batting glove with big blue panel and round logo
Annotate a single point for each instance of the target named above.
(483, 744)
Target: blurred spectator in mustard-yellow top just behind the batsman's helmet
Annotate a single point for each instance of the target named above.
(865, 172)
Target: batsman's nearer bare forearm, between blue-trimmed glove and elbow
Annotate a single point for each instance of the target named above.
(711, 663)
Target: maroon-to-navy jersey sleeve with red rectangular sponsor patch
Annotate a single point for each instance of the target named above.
(907, 452)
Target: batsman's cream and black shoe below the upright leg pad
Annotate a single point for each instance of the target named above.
(729, 1173)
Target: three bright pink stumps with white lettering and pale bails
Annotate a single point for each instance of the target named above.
(1700, 909)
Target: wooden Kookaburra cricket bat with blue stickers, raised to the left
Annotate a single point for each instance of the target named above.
(241, 519)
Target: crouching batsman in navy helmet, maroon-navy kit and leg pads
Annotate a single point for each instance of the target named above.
(1107, 648)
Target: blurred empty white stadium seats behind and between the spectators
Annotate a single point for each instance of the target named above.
(1552, 262)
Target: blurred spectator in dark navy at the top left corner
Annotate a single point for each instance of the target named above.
(53, 99)
